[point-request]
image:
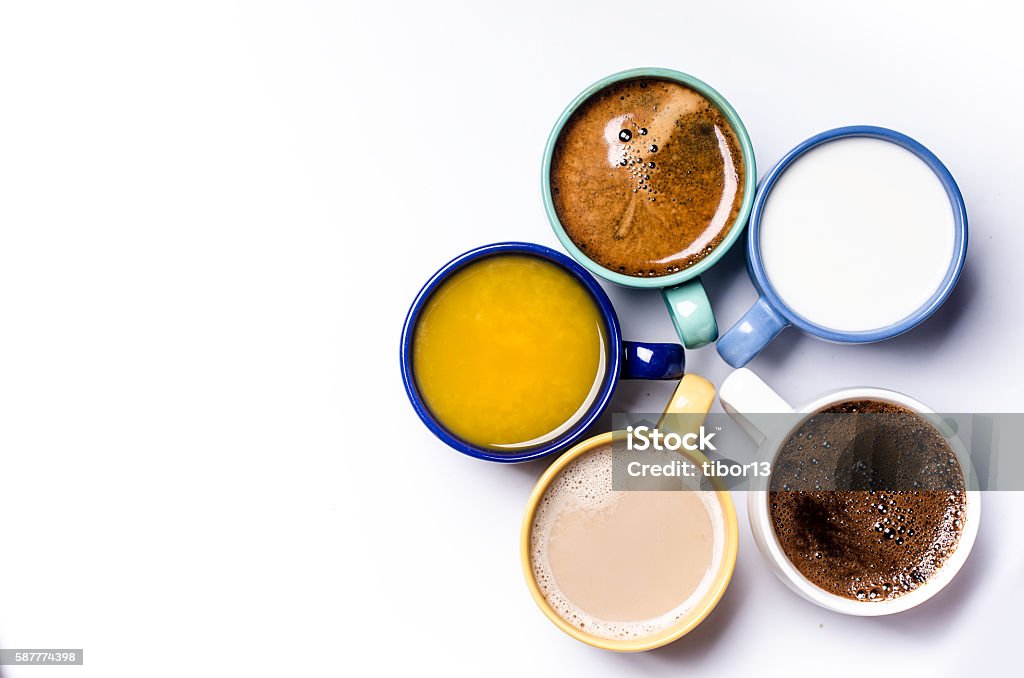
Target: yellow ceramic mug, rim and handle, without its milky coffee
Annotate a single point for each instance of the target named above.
(694, 398)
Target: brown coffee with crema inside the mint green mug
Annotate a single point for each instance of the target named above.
(648, 178)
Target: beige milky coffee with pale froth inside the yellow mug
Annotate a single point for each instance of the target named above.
(623, 565)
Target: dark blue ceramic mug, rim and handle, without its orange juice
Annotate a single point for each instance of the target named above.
(627, 360)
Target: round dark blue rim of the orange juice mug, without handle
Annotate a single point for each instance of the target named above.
(613, 366)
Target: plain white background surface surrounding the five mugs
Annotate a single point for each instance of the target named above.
(214, 217)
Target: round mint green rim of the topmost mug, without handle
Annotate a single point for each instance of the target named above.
(750, 179)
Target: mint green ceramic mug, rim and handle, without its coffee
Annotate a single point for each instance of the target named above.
(685, 294)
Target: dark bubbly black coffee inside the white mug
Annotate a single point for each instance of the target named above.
(868, 500)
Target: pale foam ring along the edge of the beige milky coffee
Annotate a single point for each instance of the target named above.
(587, 484)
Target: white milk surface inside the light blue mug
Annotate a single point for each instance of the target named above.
(858, 234)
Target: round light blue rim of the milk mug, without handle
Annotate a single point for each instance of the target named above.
(756, 268)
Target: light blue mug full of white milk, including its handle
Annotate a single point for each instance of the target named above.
(858, 235)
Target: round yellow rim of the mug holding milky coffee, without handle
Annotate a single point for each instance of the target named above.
(700, 612)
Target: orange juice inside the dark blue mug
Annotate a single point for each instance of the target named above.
(510, 352)
